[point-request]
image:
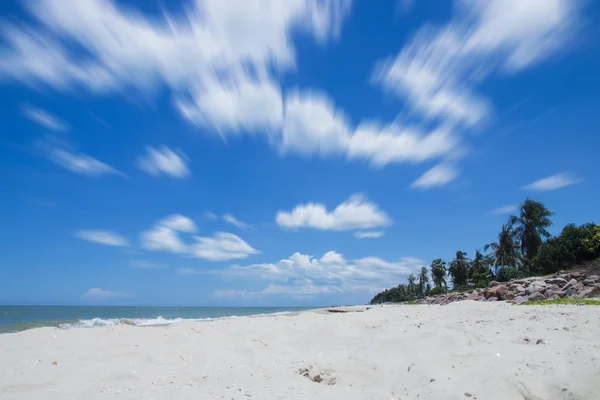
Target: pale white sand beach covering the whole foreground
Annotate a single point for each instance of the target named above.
(393, 352)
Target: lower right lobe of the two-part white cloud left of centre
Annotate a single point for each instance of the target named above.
(221, 247)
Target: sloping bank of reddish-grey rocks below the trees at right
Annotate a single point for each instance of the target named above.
(579, 284)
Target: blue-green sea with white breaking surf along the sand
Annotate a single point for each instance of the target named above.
(19, 318)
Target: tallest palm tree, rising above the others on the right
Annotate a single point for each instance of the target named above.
(531, 226)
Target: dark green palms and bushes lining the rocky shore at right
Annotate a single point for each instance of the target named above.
(524, 248)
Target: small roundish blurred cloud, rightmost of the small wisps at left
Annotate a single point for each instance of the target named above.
(164, 161)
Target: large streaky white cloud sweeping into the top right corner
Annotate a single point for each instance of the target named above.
(437, 71)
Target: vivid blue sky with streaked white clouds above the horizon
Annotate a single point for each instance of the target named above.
(281, 153)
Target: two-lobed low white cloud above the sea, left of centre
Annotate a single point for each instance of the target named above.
(165, 236)
